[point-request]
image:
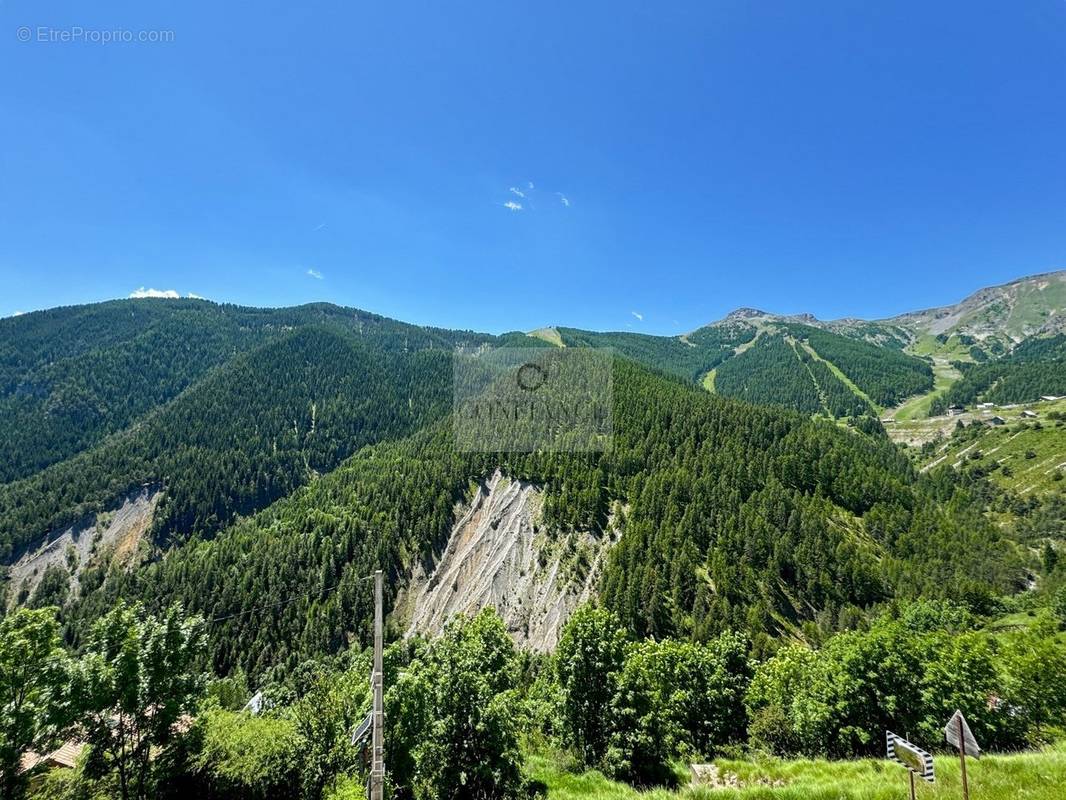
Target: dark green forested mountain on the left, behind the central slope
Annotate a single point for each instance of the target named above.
(313, 386)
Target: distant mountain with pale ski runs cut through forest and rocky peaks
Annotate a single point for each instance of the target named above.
(850, 367)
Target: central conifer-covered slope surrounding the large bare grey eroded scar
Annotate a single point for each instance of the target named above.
(734, 517)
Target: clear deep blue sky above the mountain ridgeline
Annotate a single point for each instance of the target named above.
(839, 158)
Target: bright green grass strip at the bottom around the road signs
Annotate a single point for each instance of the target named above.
(1033, 776)
